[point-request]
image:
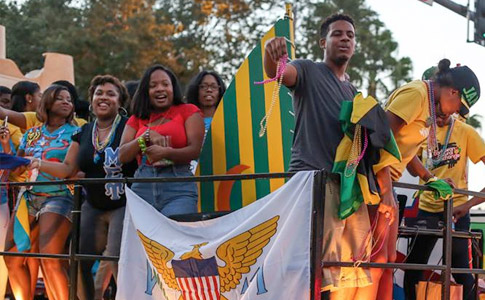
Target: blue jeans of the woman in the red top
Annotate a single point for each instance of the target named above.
(169, 198)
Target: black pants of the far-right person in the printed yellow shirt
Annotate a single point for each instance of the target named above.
(459, 258)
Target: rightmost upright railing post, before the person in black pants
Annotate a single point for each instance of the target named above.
(447, 242)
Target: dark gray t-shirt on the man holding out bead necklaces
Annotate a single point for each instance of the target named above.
(317, 98)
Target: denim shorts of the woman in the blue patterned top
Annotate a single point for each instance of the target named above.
(61, 205)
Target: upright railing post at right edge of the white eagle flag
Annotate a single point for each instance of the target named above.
(317, 234)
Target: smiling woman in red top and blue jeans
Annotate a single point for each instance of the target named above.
(164, 135)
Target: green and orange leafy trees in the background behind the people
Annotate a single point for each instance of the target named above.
(123, 37)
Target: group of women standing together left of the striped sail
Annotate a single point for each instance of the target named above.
(160, 137)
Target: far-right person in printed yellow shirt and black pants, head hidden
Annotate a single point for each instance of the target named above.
(457, 142)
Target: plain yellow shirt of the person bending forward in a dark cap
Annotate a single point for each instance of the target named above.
(410, 103)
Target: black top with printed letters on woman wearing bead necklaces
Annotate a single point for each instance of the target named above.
(103, 196)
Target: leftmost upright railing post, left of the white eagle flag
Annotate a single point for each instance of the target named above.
(74, 249)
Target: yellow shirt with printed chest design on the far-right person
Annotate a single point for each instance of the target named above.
(464, 143)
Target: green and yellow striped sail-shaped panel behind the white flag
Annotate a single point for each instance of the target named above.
(233, 145)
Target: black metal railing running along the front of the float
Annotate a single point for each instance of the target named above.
(316, 228)
